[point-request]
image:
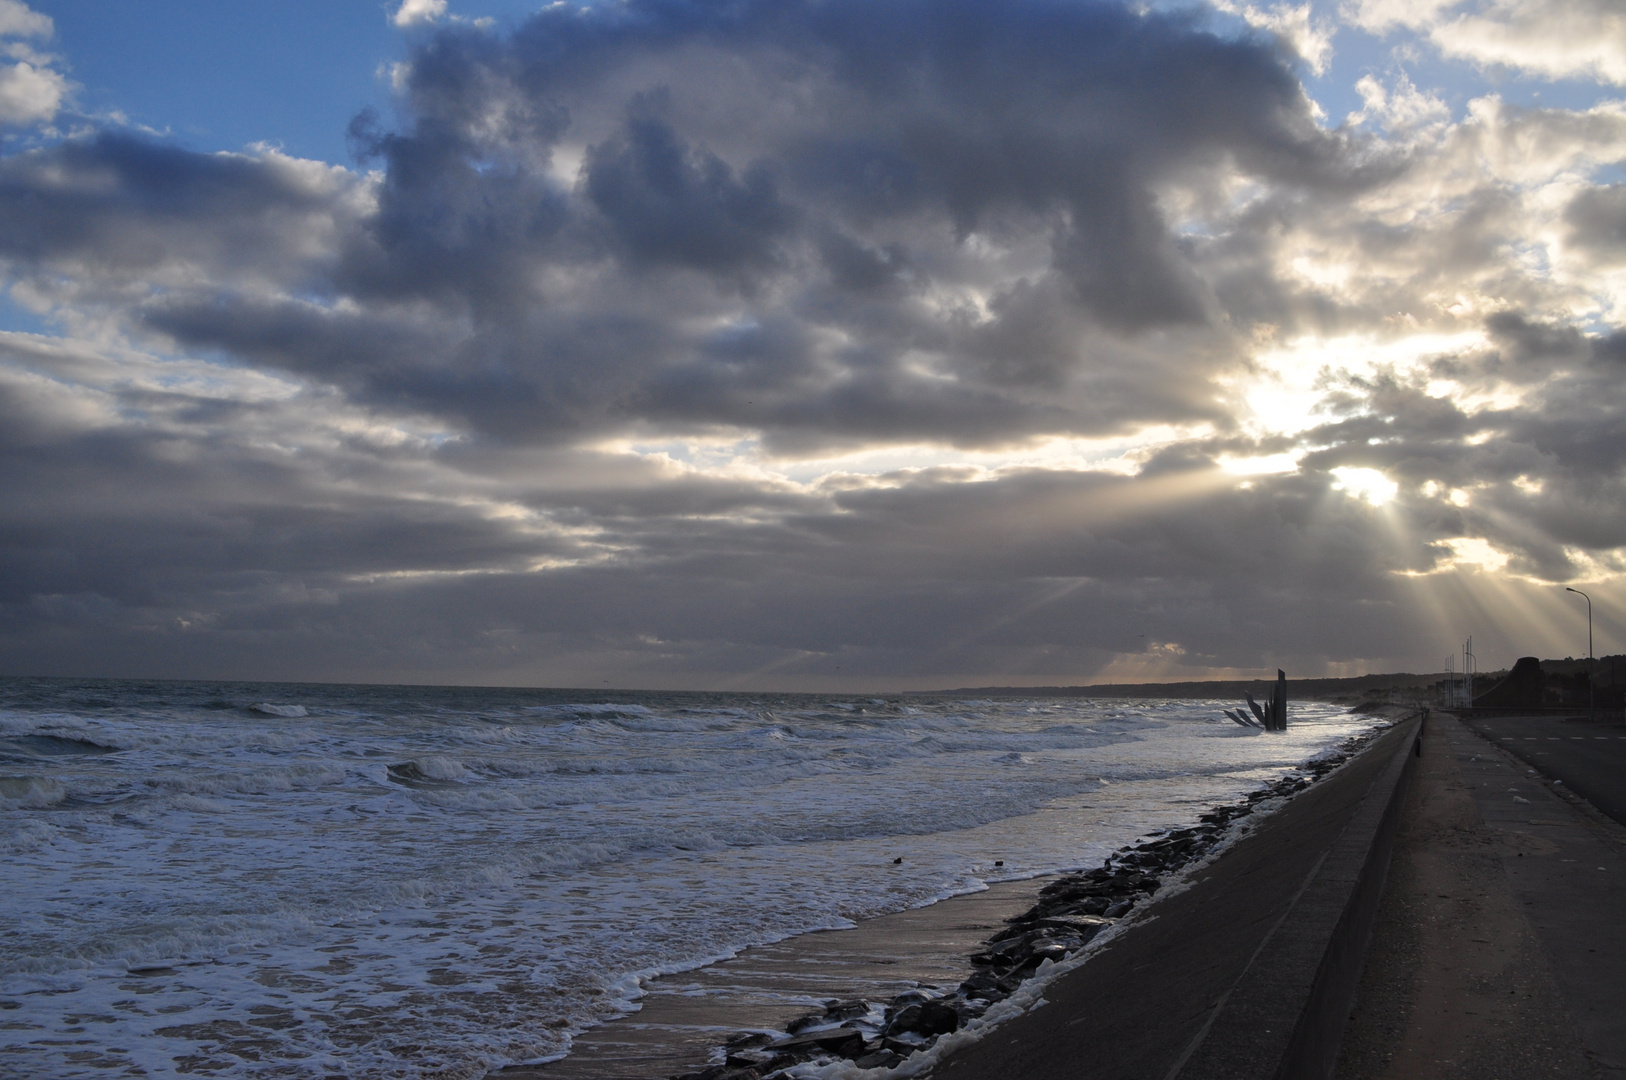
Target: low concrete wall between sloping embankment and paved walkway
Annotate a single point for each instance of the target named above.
(1287, 1012)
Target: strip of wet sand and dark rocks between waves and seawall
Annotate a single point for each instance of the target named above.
(1004, 936)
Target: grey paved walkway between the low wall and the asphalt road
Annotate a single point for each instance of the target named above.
(1500, 951)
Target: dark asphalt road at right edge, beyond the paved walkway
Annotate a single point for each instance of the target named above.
(1589, 757)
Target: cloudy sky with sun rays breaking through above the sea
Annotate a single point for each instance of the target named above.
(838, 346)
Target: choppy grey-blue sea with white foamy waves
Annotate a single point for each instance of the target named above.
(320, 881)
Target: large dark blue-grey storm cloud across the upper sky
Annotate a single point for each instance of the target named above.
(824, 222)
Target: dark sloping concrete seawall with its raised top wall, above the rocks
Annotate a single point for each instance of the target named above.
(1251, 972)
